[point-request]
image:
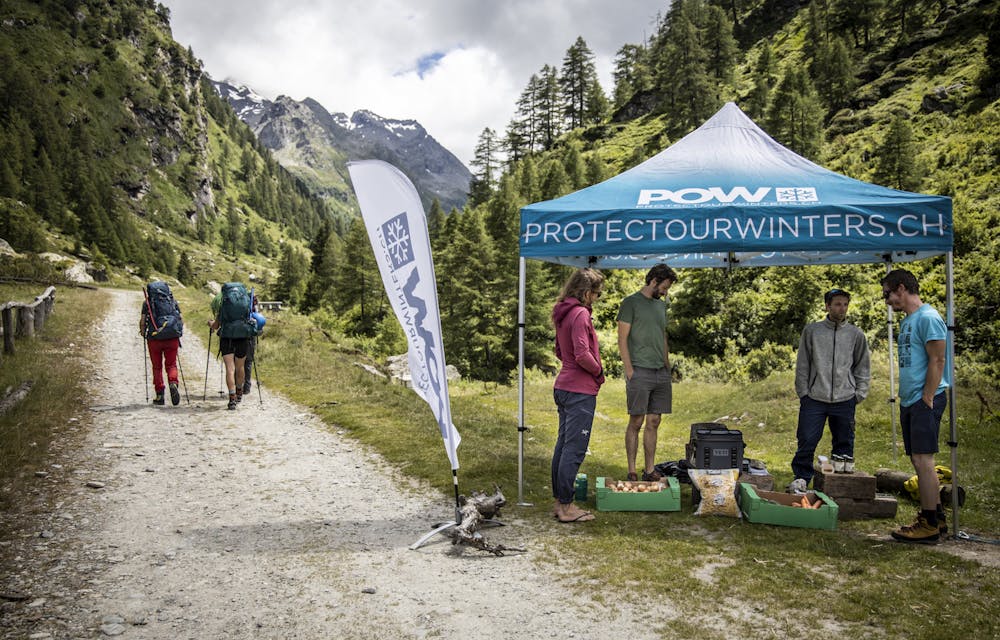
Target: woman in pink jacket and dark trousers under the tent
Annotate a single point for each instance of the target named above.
(576, 386)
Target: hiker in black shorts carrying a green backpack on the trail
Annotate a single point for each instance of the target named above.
(235, 326)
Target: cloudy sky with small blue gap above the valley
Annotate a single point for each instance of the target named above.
(455, 66)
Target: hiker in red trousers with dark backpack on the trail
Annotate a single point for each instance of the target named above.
(161, 325)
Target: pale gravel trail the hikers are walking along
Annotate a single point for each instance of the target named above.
(260, 523)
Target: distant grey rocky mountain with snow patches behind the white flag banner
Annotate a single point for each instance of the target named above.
(315, 145)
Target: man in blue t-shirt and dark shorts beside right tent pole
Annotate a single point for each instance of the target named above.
(922, 384)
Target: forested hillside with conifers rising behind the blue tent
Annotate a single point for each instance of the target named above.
(903, 94)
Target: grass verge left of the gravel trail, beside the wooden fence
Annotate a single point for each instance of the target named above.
(57, 361)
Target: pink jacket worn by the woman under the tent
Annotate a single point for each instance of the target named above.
(577, 348)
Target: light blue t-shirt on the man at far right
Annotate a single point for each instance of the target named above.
(916, 330)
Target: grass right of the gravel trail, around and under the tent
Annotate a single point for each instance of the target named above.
(712, 570)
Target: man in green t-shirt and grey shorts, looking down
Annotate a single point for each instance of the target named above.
(642, 342)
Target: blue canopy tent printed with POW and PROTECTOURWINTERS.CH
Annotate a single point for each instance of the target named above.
(728, 195)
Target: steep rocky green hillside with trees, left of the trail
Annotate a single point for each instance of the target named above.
(116, 149)
